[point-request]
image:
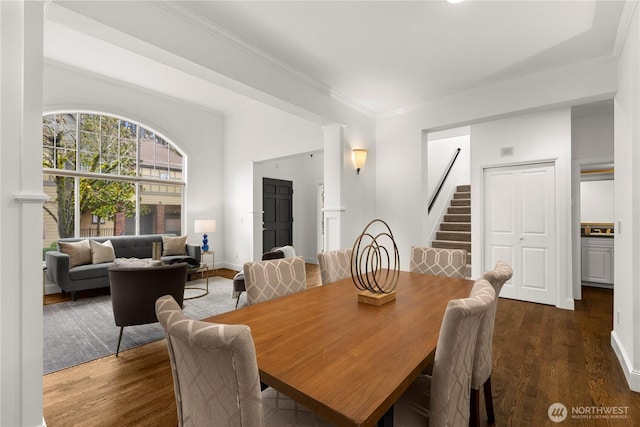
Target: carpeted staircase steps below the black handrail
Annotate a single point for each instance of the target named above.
(455, 229)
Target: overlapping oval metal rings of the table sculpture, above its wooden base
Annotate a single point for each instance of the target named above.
(375, 268)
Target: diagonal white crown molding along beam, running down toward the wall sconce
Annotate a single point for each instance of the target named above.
(184, 13)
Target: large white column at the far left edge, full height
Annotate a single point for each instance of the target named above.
(21, 198)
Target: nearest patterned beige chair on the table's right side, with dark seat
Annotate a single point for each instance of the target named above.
(442, 399)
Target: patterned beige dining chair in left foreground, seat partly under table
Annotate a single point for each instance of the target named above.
(215, 376)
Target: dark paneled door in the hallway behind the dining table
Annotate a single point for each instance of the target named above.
(277, 219)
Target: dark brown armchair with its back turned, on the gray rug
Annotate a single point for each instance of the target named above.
(135, 287)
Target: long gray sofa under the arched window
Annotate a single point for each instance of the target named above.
(92, 276)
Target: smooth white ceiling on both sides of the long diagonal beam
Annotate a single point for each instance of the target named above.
(382, 55)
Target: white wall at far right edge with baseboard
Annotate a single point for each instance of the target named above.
(625, 337)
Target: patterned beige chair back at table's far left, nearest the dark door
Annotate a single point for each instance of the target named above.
(266, 280)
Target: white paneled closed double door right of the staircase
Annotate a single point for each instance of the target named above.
(519, 228)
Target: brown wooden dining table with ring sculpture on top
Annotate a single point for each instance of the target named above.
(345, 360)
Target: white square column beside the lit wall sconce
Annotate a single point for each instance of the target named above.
(333, 169)
